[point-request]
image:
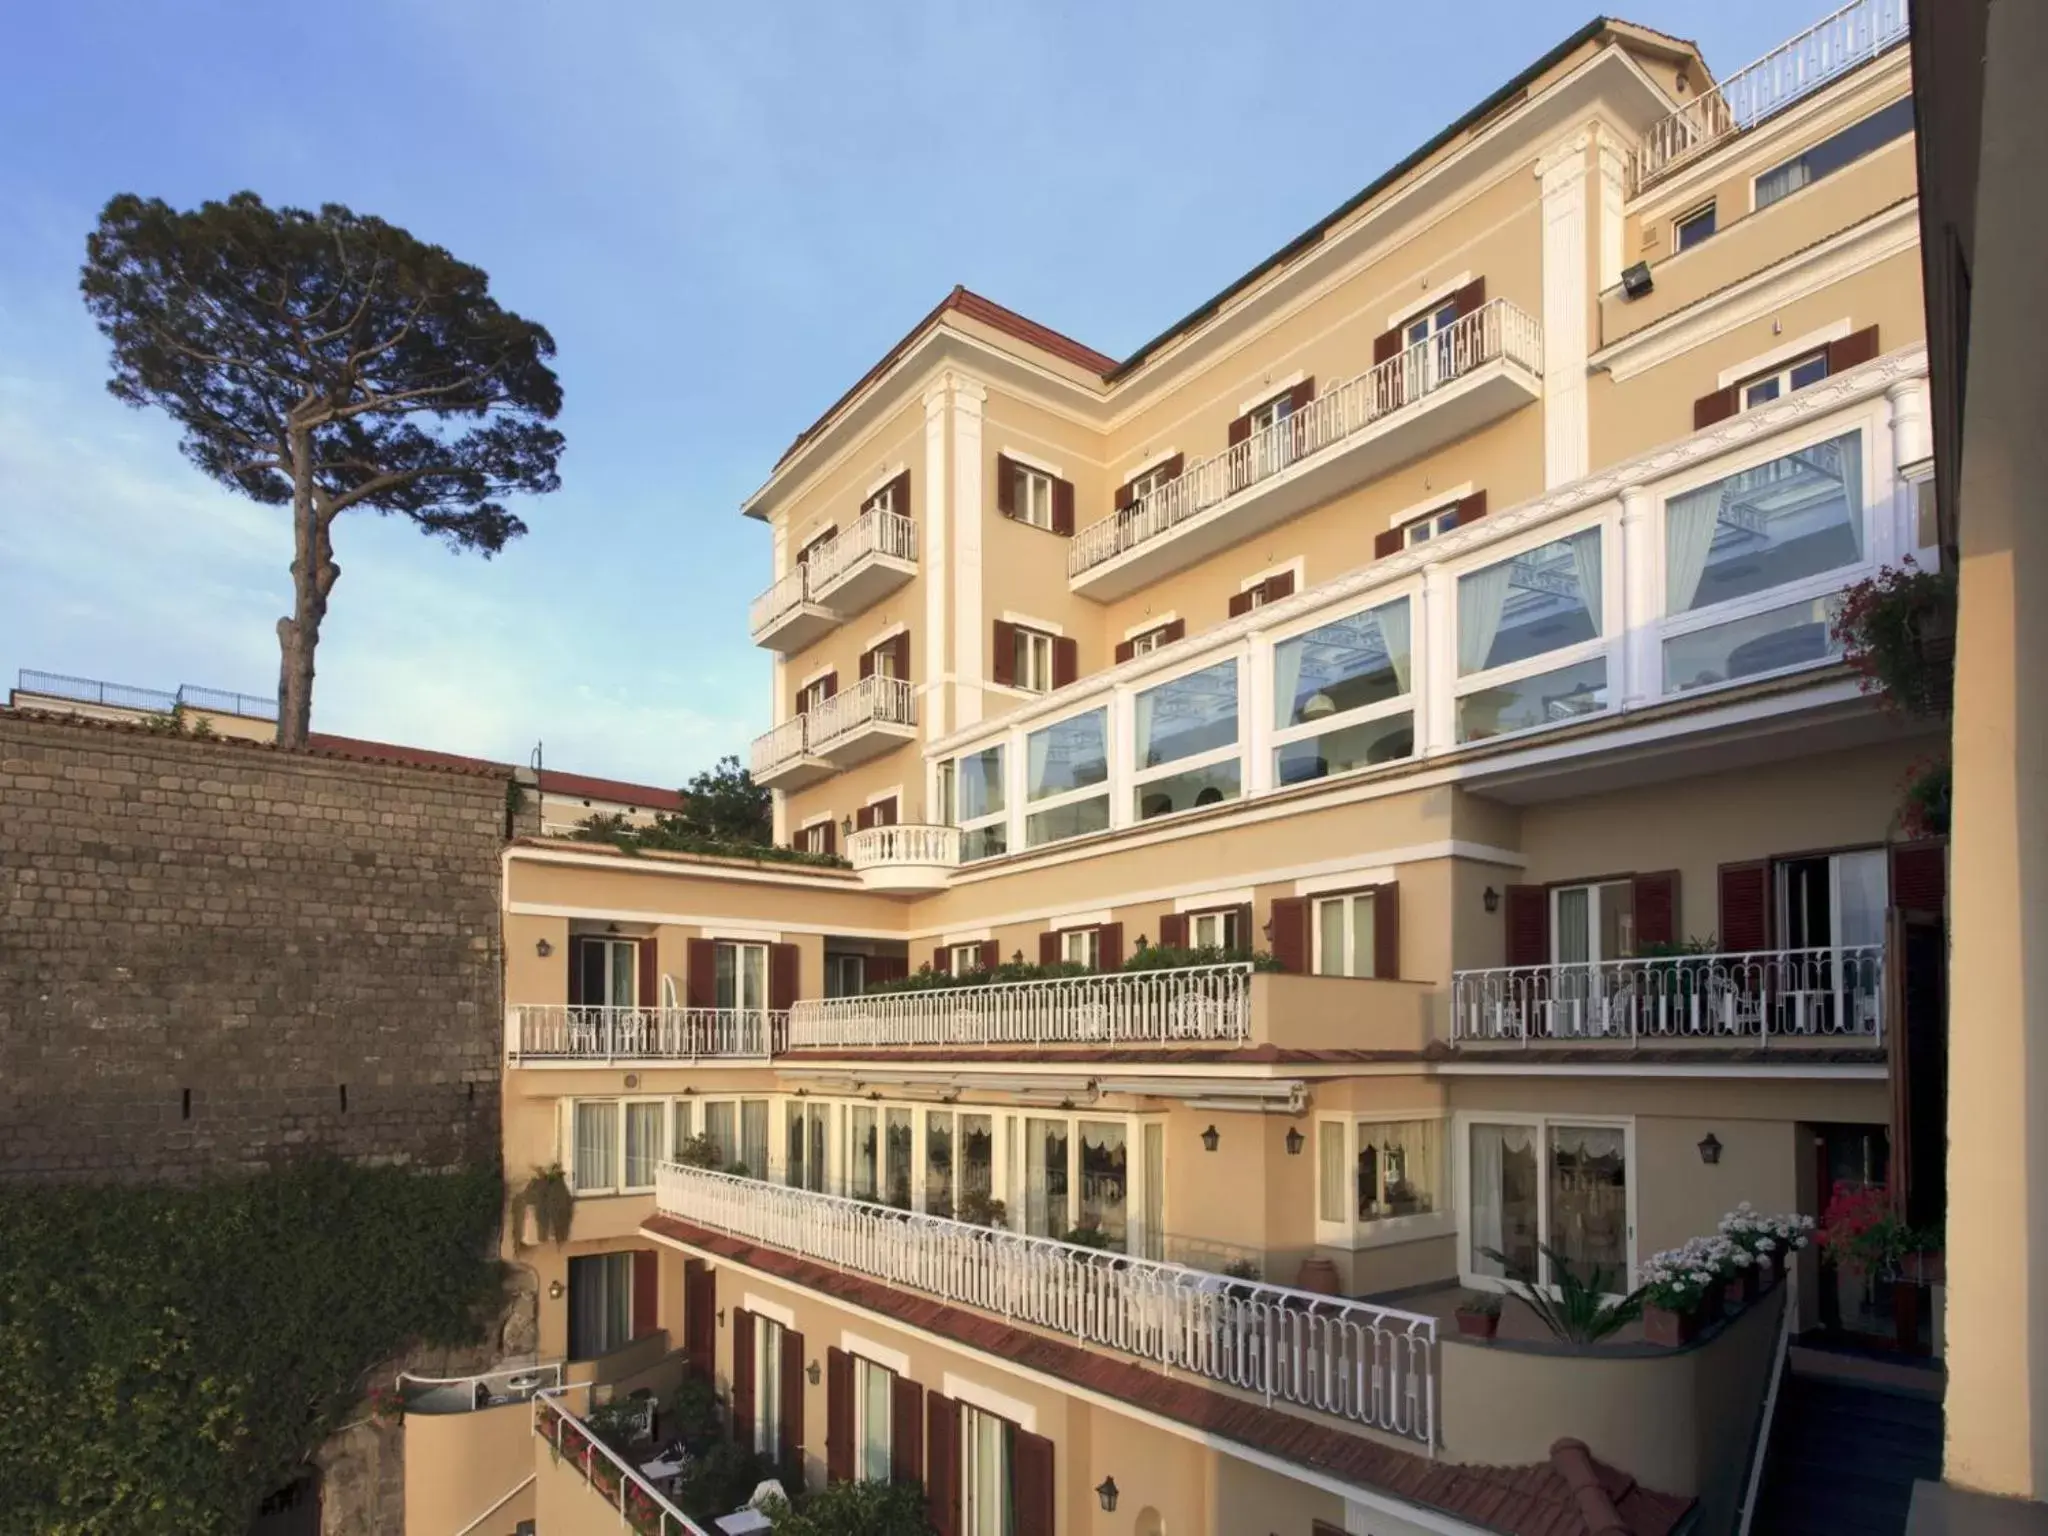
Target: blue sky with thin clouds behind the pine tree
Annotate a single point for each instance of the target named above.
(724, 214)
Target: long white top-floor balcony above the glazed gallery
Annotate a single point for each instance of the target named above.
(1467, 376)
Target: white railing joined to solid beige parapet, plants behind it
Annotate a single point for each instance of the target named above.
(1177, 1007)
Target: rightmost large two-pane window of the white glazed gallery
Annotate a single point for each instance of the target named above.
(1746, 540)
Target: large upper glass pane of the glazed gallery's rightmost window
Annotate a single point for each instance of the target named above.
(1770, 525)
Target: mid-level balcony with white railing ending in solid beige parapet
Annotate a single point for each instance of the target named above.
(1183, 1007)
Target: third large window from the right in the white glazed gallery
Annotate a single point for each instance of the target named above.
(1342, 695)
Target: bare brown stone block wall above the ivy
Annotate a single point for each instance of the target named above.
(216, 955)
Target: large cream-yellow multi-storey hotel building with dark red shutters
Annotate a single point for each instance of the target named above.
(1439, 615)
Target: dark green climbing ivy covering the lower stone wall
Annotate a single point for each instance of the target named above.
(175, 1355)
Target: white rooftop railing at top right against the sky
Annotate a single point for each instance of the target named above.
(1830, 48)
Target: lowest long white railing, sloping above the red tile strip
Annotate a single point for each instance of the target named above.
(1371, 1365)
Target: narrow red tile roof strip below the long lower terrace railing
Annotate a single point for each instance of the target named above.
(1541, 1500)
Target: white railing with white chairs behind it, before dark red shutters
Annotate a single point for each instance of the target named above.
(1754, 998)
